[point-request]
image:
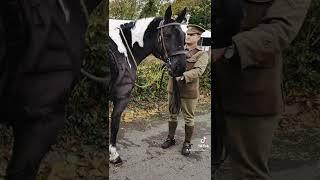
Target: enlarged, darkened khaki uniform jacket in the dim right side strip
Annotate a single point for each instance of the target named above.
(254, 86)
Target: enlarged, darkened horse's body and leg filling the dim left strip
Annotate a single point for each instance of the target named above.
(39, 75)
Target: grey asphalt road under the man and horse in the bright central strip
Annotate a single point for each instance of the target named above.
(144, 159)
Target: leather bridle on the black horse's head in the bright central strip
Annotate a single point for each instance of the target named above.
(167, 57)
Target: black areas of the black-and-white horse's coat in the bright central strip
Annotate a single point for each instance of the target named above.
(124, 77)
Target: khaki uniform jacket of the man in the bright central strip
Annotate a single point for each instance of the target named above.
(196, 65)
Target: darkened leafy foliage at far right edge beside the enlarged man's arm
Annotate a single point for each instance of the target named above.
(302, 59)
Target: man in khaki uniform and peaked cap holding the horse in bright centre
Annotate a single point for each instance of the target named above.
(188, 84)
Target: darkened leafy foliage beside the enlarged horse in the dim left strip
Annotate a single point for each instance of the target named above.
(87, 110)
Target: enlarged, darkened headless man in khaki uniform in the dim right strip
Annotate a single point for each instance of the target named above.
(249, 81)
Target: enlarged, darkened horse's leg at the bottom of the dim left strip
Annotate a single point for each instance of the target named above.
(32, 140)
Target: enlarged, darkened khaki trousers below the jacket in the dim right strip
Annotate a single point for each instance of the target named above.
(248, 141)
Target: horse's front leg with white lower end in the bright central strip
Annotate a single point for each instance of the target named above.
(119, 106)
